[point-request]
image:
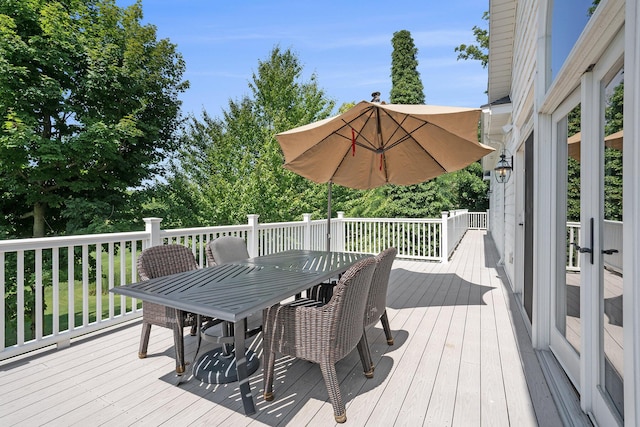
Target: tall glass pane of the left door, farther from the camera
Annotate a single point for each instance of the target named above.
(568, 293)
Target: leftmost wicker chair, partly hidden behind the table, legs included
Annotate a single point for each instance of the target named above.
(158, 261)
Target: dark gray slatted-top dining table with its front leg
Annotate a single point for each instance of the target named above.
(232, 292)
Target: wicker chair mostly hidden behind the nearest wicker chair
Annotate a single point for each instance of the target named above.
(376, 308)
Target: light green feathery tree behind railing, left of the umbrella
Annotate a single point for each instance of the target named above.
(232, 166)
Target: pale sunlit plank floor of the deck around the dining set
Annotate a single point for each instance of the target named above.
(461, 357)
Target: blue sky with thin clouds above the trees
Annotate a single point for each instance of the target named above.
(346, 44)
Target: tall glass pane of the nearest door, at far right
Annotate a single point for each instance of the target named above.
(612, 235)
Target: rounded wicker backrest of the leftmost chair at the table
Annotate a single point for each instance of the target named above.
(163, 260)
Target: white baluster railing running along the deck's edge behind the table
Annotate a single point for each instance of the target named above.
(63, 282)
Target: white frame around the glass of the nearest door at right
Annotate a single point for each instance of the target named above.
(593, 82)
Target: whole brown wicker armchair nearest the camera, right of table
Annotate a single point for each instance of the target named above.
(323, 334)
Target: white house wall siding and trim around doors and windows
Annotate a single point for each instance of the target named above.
(531, 106)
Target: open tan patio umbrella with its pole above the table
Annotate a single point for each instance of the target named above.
(373, 144)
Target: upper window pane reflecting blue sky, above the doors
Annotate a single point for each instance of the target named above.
(568, 20)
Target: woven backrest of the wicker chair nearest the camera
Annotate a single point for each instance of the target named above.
(346, 306)
